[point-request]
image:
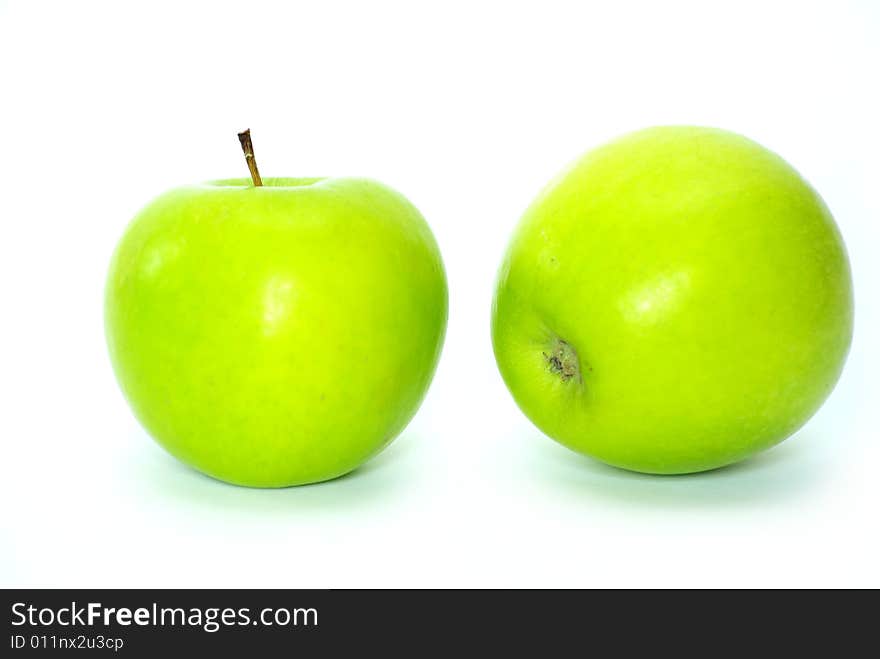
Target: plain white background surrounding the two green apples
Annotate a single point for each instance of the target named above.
(468, 108)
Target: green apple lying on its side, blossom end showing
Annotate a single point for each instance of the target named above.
(673, 302)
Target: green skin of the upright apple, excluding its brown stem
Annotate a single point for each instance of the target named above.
(277, 335)
